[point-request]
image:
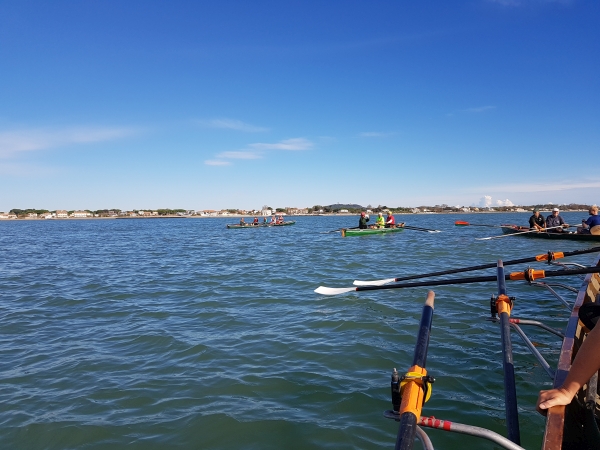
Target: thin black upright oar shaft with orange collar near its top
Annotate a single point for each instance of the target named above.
(510, 389)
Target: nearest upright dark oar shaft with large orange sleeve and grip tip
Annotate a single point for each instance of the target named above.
(413, 395)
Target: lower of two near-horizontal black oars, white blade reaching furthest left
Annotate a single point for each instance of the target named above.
(528, 275)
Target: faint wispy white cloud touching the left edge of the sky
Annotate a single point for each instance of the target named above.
(23, 140)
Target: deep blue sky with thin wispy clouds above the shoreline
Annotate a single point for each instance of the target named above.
(237, 104)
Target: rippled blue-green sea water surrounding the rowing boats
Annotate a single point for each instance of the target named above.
(179, 333)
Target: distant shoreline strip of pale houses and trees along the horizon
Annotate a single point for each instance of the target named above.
(317, 210)
